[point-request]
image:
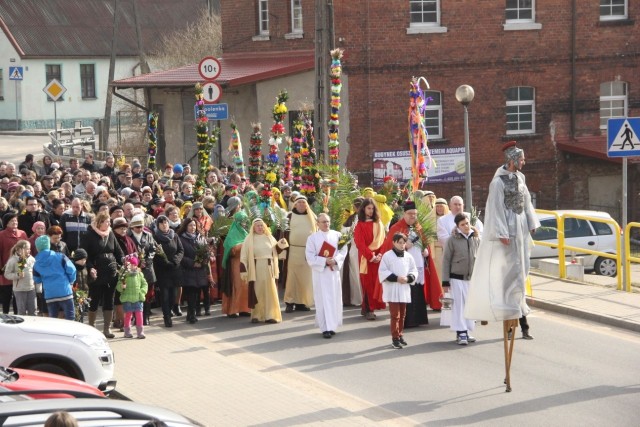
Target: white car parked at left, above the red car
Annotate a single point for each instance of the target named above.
(57, 346)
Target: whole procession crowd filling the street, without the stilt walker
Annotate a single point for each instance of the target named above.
(121, 238)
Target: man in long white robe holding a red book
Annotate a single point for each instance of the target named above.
(326, 275)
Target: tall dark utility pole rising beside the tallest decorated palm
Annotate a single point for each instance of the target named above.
(324, 44)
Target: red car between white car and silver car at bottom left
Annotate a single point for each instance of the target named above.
(29, 381)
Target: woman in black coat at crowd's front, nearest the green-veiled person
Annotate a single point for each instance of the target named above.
(195, 265)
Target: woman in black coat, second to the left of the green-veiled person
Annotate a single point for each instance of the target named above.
(166, 265)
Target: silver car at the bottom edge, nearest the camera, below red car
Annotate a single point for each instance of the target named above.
(88, 412)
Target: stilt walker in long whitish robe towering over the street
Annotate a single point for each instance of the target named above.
(497, 286)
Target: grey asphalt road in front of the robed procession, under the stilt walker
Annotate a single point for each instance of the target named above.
(575, 373)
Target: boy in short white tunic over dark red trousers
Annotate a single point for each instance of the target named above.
(397, 272)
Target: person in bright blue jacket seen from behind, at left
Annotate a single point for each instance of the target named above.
(57, 273)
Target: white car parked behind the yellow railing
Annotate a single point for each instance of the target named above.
(592, 235)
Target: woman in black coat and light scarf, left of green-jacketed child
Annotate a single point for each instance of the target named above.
(104, 258)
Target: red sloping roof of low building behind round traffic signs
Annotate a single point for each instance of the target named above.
(236, 70)
